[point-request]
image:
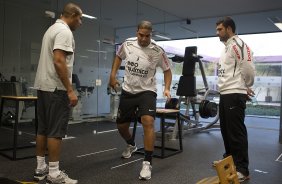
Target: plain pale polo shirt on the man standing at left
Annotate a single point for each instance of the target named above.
(58, 36)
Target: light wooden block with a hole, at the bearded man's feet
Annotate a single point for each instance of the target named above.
(226, 173)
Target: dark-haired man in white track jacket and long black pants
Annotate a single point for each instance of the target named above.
(236, 74)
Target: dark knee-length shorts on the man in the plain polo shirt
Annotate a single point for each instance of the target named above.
(53, 112)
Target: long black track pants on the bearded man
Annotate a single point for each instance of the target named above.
(234, 133)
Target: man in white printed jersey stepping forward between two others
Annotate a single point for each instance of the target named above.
(142, 57)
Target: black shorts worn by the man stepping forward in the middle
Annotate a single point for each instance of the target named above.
(143, 103)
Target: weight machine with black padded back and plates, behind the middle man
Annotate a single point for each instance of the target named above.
(197, 104)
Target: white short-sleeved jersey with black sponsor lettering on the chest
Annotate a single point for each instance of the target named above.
(141, 64)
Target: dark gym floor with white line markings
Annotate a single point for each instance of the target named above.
(96, 158)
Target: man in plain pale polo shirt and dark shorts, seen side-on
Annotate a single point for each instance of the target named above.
(55, 93)
